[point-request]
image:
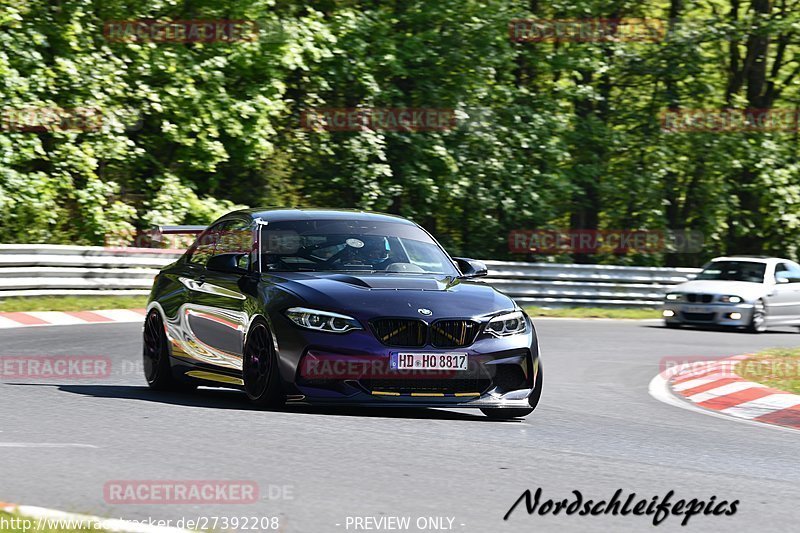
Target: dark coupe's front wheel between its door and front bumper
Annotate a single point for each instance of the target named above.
(260, 368)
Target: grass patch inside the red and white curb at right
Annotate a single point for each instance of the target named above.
(778, 368)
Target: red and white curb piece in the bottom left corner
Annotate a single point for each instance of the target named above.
(42, 519)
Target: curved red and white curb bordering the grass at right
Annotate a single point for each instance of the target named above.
(717, 390)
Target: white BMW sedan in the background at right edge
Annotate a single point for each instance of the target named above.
(749, 292)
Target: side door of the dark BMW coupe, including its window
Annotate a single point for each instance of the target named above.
(215, 314)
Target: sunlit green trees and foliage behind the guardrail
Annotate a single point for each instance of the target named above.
(550, 134)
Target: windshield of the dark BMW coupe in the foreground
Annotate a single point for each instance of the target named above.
(350, 245)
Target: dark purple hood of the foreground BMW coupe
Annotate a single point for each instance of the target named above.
(396, 295)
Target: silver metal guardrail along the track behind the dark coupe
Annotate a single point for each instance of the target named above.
(33, 270)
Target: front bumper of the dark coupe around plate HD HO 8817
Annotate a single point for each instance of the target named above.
(355, 369)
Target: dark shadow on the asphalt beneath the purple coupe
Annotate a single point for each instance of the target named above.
(232, 399)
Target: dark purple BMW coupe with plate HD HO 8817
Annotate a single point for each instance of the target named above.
(334, 307)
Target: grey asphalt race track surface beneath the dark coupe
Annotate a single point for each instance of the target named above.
(596, 430)
